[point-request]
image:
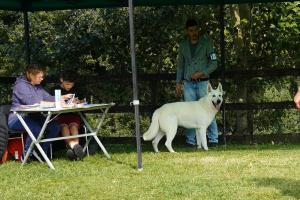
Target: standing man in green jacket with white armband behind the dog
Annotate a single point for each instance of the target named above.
(196, 61)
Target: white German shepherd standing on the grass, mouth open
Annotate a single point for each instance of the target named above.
(195, 114)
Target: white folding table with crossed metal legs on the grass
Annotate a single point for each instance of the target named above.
(51, 114)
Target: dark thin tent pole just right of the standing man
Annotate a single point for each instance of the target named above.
(222, 47)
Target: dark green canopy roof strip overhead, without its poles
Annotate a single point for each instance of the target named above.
(43, 5)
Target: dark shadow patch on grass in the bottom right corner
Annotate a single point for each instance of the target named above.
(287, 187)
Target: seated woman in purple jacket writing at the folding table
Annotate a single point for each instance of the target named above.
(27, 91)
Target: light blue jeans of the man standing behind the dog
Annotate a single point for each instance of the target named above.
(193, 91)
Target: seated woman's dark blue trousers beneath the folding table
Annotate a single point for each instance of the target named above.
(35, 125)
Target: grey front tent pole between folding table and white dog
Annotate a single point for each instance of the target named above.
(135, 88)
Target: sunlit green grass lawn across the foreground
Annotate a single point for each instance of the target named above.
(238, 172)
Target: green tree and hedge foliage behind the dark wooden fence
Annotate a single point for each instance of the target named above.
(96, 42)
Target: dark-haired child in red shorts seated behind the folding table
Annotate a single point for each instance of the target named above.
(70, 122)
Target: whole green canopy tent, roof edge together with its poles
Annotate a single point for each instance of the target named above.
(46, 5)
